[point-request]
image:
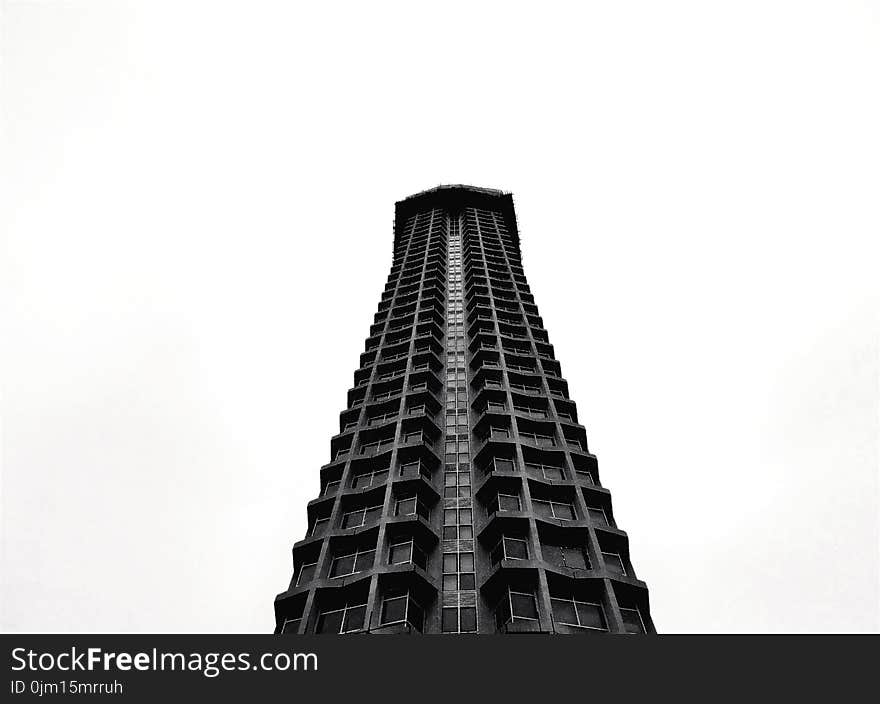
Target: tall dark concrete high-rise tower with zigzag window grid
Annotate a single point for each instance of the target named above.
(460, 496)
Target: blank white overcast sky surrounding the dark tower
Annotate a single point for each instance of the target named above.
(199, 202)
